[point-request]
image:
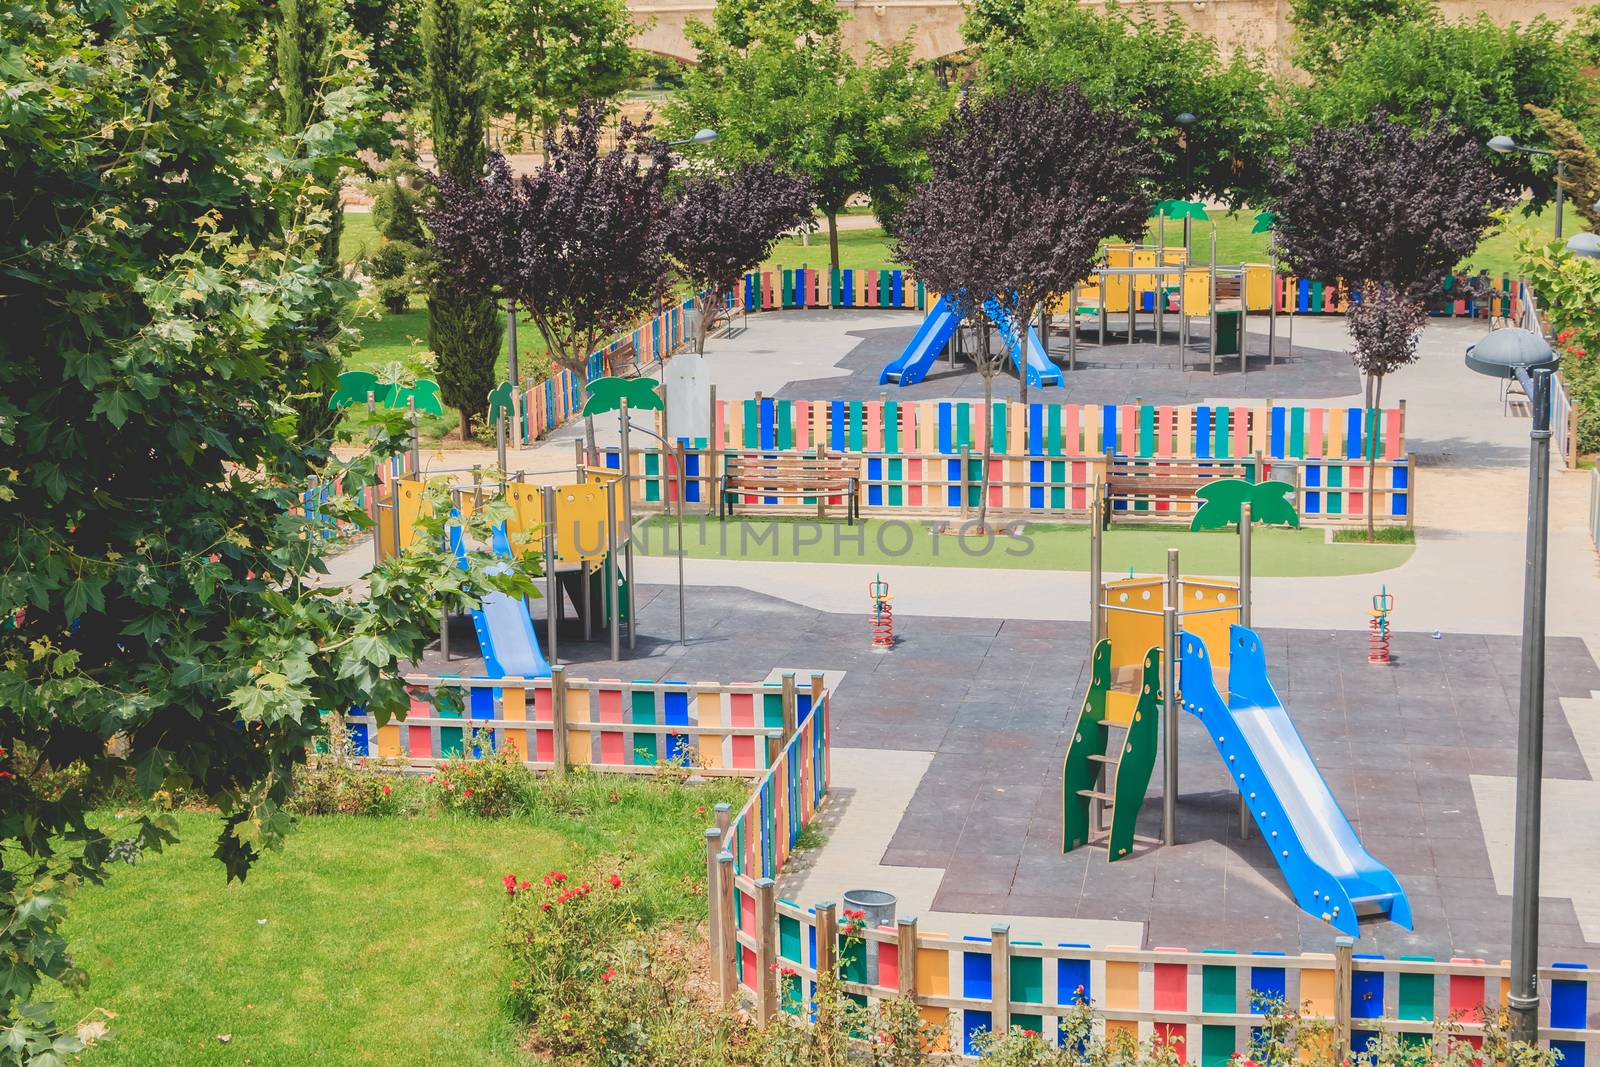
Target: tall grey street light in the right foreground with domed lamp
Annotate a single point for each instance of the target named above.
(1522, 354)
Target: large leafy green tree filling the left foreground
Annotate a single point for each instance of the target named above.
(164, 623)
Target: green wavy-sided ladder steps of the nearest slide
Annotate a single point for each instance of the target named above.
(1110, 762)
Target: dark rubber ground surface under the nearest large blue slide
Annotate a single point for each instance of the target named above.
(994, 700)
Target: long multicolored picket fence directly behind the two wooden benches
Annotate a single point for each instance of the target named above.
(926, 457)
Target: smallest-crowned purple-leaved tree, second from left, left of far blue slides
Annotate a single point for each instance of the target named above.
(721, 226)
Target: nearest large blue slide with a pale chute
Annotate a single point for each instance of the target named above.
(1330, 874)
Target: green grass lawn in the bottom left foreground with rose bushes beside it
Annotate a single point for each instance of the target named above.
(380, 935)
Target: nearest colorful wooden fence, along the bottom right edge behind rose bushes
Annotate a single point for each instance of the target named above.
(1207, 1001)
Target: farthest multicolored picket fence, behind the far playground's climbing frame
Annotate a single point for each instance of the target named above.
(894, 287)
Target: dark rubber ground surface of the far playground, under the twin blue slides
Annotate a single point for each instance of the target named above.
(1106, 375)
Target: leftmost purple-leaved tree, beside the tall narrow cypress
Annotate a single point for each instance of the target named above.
(580, 244)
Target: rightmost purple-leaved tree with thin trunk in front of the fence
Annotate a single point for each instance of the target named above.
(1385, 212)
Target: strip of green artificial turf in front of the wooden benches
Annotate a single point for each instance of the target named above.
(1047, 548)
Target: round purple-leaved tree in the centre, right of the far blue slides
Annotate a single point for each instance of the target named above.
(1026, 186)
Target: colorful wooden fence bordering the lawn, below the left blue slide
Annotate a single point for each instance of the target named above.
(710, 729)
